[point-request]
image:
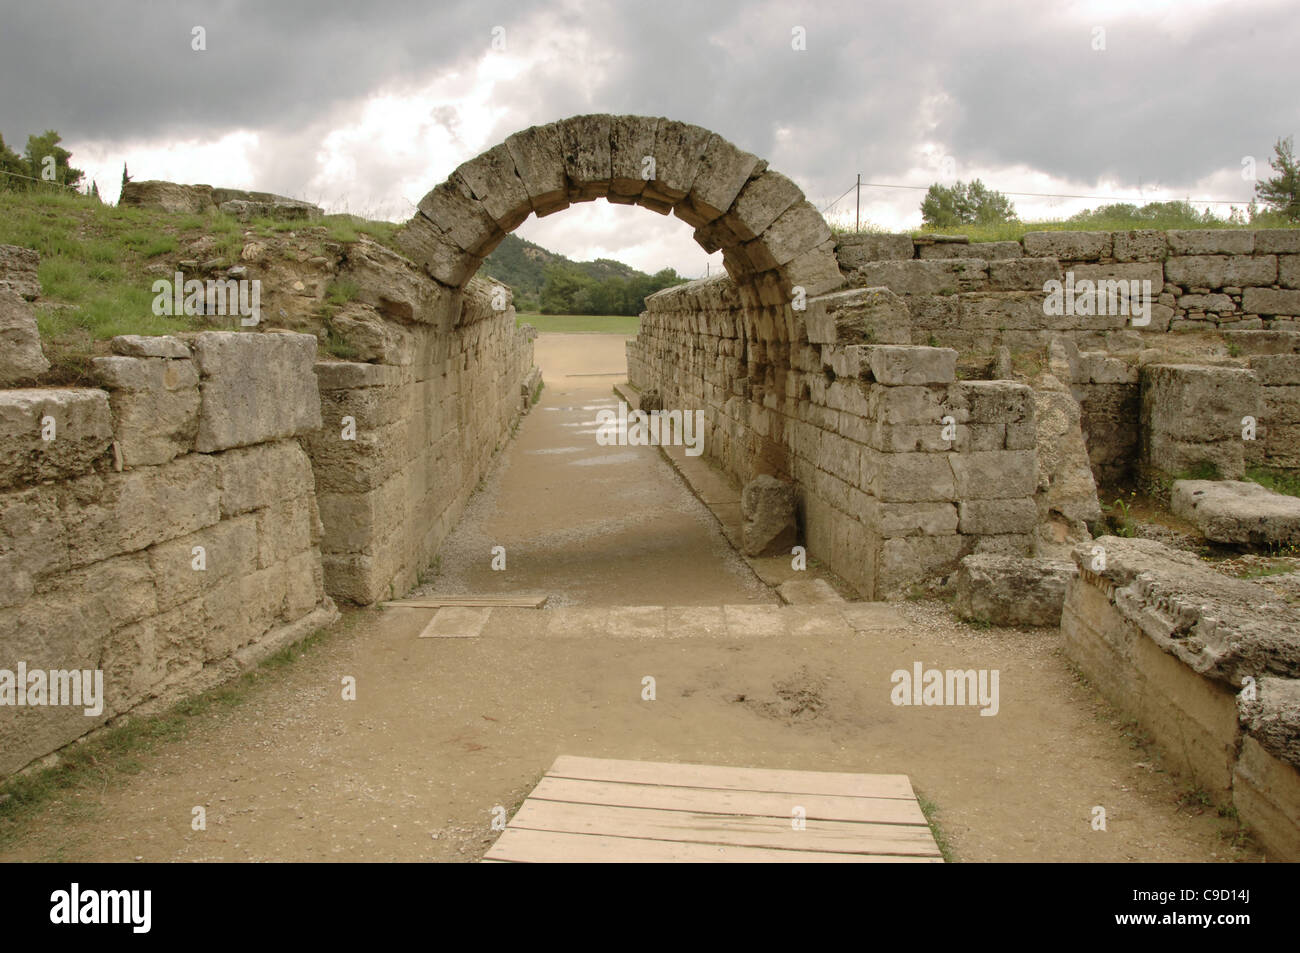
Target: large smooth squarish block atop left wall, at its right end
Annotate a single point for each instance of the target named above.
(255, 388)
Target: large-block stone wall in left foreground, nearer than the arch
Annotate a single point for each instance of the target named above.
(162, 530)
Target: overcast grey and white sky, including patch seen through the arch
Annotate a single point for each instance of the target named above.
(365, 107)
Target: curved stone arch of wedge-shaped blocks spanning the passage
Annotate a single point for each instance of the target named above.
(773, 240)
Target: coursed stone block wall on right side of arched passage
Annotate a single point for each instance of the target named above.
(886, 497)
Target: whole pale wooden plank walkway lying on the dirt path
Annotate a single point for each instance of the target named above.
(604, 811)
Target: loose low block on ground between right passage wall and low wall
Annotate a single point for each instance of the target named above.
(1011, 591)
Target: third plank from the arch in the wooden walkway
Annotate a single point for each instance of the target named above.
(837, 837)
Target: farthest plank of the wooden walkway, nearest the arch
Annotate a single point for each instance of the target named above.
(731, 778)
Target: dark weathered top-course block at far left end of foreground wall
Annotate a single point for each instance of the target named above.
(77, 421)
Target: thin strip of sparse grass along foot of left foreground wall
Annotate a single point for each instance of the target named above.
(119, 751)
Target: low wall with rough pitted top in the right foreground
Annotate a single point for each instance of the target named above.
(1208, 665)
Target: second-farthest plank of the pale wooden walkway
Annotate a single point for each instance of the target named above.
(881, 811)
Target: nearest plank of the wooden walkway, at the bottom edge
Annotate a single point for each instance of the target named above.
(521, 846)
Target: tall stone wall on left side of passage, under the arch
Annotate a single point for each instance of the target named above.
(411, 431)
